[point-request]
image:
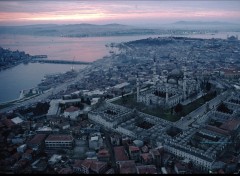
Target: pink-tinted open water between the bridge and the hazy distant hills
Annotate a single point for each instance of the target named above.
(79, 49)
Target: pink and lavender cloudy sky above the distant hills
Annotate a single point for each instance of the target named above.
(129, 12)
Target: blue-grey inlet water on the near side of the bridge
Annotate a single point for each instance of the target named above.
(27, 76)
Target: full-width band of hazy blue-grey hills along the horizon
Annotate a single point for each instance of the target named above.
(114, 29)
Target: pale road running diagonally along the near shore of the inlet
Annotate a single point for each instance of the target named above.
(45, 95)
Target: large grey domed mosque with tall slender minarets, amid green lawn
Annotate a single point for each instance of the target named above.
(170, 89)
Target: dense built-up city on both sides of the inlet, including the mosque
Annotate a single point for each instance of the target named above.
(166, 105)
